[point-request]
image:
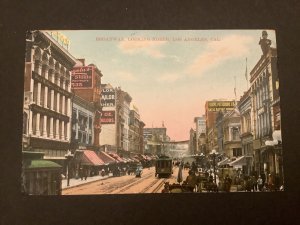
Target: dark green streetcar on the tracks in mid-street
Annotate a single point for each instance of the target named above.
(163, 166)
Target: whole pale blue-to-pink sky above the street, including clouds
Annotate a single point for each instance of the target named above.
(171, 74)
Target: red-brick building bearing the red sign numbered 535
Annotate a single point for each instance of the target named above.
(86, 83)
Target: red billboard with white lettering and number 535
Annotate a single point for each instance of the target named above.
(82, 77)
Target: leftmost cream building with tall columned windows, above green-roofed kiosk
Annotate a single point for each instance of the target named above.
(47, 105)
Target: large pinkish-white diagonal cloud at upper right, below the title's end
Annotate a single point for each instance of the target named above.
(218, 52)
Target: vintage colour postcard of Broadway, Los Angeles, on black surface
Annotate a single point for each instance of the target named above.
(151, 111)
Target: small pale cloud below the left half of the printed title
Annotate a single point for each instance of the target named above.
(147, 47)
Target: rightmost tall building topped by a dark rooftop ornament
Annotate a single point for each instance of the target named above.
(265, 112)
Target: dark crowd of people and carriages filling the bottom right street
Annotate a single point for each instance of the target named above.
(206, 181)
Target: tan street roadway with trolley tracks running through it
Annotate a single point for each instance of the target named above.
(128, 184)
